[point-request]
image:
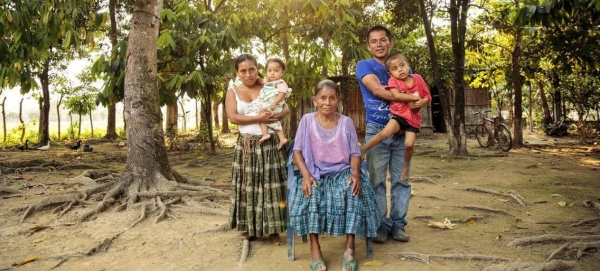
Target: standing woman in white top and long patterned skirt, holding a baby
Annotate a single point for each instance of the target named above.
(258, 169)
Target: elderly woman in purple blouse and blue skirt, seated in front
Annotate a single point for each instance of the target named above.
(331, 194)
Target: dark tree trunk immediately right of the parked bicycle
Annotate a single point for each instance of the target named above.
(517, 87)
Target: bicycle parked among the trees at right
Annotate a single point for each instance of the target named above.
(498, 134)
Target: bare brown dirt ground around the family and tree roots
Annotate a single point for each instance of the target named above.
(558, 179)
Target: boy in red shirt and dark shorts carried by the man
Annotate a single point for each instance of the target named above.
(402, 118)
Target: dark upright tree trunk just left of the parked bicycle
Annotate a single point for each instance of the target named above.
(457, 135)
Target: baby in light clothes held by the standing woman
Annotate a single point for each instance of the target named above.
(272, 97)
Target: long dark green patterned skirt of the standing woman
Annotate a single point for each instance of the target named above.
(259, 183)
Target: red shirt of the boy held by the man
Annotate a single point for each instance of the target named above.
(401, 109)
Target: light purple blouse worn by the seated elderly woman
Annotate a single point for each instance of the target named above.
(326, 151)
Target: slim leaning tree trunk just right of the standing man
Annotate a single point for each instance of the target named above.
(435, 70)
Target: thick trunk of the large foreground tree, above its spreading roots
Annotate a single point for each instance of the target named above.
(146, 152)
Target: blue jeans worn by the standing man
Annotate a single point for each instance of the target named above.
(388, 154)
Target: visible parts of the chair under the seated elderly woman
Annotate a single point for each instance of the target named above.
(290, 229)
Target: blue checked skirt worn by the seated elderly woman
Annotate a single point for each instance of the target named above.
(332, 208)
